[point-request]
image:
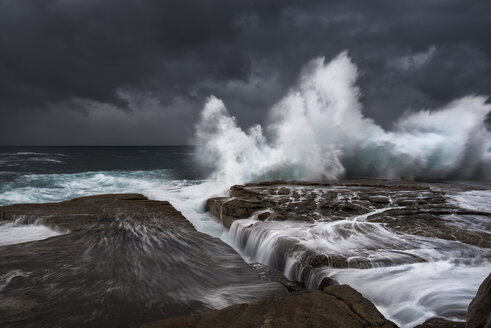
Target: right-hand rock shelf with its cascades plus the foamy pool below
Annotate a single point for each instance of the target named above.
(431, 239)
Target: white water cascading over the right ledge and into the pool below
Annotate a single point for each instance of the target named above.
(410, 276)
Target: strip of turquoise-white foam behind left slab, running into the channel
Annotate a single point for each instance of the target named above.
(188, 196)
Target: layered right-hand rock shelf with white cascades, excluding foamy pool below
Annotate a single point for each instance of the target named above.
(308, 230)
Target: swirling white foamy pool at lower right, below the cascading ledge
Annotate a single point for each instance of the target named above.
(411, 294)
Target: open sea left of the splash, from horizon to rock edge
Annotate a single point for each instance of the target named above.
(50, 174)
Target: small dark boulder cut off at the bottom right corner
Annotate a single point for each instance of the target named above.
(479, 313)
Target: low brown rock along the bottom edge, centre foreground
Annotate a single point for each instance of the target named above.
(335, 306)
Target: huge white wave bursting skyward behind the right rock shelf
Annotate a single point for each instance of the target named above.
(318, 132)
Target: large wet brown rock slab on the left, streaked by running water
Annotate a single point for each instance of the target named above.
(122, 260)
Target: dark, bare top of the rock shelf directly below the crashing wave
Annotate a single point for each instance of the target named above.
(406, 207)
